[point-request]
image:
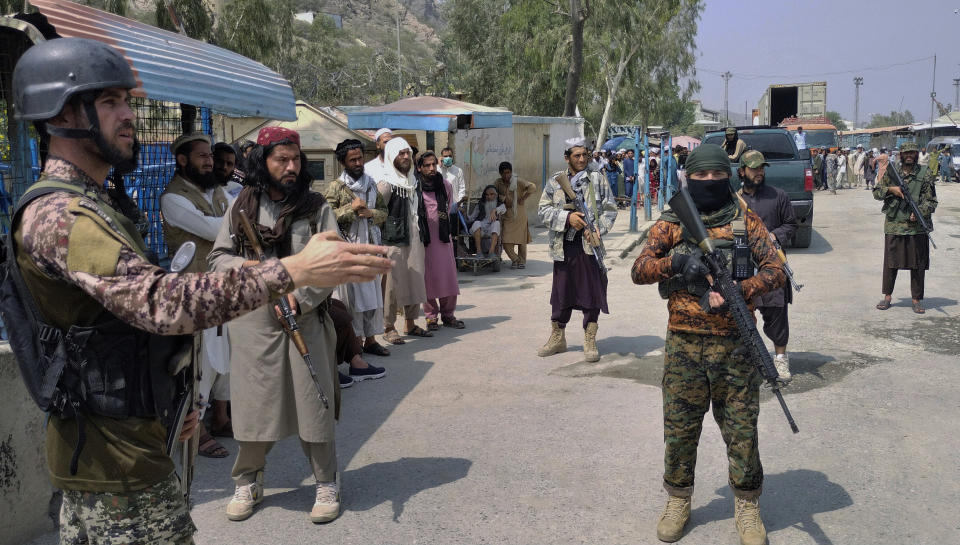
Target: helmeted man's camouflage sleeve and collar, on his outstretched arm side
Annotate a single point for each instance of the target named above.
(57, 237)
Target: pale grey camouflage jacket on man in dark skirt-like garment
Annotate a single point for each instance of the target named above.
(553, 210)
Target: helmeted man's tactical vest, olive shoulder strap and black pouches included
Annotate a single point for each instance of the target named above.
(108, 367)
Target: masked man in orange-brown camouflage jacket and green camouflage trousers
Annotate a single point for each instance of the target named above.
(700, 366)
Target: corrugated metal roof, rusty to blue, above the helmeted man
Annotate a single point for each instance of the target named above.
(176, 68)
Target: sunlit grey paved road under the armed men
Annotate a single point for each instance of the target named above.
(471, 438)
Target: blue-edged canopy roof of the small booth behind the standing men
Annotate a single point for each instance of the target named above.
(430, 114)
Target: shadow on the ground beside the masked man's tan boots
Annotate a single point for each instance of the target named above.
(789, 500)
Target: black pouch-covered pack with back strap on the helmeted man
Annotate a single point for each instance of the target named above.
(110, 369)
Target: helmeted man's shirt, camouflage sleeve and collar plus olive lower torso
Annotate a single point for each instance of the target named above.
(56, 238)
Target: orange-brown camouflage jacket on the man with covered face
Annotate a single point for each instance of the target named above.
(655, 265)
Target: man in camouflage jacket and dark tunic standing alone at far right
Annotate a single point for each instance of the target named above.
(906, 245)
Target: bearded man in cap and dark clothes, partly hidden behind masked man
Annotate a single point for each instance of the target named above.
(773, 206)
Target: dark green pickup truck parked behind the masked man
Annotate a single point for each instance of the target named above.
(789, 169)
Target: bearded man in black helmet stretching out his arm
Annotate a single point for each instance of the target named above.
(84, 264)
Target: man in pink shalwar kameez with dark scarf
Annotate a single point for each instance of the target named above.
(441, 268)
